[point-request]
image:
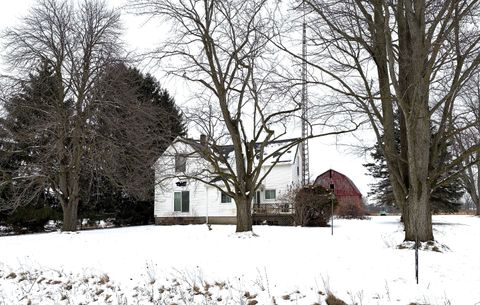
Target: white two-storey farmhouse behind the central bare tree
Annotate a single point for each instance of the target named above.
(182, 201)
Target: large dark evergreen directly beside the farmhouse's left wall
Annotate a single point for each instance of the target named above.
(129, 202)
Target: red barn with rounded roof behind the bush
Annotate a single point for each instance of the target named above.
(345, 190)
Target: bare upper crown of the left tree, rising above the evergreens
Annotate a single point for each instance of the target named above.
(79, 39)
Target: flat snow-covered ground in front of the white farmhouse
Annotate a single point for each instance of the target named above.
(360, 264)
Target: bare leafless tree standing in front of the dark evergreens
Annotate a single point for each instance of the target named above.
(75, 43)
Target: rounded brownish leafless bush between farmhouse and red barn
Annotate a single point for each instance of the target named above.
(313, 206)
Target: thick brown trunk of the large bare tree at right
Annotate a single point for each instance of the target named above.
(415, 133)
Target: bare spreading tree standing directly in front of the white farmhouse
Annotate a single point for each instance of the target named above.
(224, 50)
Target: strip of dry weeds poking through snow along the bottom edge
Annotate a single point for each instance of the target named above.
(53, 287)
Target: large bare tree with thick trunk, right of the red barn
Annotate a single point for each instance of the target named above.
(414, 56)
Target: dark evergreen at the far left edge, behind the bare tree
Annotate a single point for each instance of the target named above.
(21, 148)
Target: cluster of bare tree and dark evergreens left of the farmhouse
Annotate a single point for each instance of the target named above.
(79, 124)
